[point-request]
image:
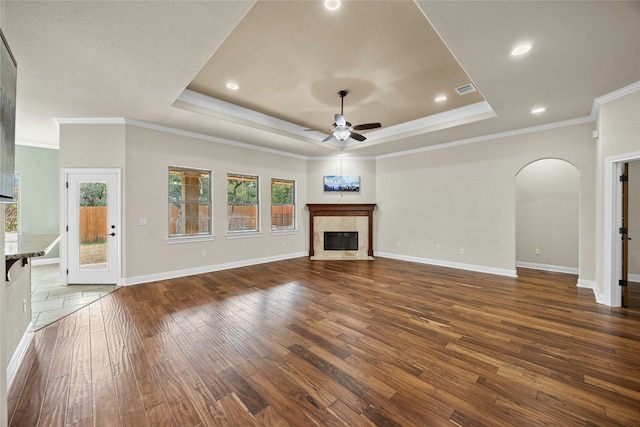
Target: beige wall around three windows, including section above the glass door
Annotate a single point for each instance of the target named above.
(144, 155)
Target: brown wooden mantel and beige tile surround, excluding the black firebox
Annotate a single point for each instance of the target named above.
(341, 217)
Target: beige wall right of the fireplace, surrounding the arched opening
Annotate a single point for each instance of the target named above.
(463, 197)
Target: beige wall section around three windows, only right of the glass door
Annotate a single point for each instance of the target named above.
(149, 154)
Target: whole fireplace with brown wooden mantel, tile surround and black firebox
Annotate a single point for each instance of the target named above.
(341, 231)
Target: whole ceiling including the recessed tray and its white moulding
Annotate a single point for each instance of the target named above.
(161, 63)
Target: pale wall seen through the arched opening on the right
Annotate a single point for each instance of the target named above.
(547, 207)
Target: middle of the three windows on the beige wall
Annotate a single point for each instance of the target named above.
(242, 203)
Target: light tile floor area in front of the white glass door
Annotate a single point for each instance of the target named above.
(50, 301)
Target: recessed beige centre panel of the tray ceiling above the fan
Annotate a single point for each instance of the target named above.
(291, 59)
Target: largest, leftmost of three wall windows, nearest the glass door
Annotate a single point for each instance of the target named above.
(189, 202)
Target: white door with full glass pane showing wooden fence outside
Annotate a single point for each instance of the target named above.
(93, 229)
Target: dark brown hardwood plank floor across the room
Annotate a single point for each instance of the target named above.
(319, 343)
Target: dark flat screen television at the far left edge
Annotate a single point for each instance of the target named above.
(8, 82)
